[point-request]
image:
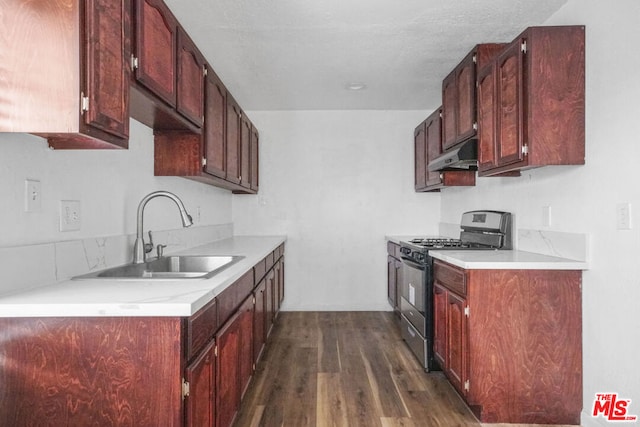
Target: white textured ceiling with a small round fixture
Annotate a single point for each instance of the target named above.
(300, 54)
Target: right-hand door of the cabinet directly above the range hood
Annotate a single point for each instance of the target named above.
(466, 98)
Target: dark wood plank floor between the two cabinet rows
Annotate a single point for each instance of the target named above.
(346, 369)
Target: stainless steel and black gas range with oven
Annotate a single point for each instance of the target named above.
(479, 230)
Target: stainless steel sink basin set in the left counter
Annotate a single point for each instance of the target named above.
(168, 268)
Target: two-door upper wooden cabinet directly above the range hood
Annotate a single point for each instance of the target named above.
(459, 95)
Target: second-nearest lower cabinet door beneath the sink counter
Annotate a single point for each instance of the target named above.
(227, 372)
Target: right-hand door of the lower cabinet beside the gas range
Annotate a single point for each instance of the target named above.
(456, 361)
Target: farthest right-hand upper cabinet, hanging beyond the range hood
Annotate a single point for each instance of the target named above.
(428, 146)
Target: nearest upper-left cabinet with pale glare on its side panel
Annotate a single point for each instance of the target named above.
(65, 72)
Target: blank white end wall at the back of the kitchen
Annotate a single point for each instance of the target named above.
(336, 183)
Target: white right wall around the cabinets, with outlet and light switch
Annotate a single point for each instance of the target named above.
(584, 199)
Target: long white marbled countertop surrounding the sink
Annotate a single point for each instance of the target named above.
(164, 298)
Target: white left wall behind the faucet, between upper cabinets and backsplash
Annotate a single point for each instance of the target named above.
(108, 183)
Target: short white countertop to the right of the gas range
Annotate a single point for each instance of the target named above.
(506, 260)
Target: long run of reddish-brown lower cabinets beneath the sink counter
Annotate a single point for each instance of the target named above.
(141, 371)
